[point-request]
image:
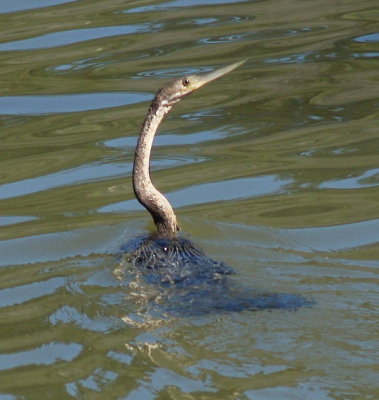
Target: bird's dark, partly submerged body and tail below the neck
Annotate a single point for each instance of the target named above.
(189, 283)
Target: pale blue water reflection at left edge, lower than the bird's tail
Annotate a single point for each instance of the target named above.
(47, 354)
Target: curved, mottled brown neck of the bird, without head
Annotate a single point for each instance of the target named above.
(146, 193)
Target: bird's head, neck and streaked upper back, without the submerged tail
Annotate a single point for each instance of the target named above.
(177, 257)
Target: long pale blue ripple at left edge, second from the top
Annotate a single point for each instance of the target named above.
(65, 38)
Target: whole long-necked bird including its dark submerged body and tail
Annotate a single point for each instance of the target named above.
(189, 282)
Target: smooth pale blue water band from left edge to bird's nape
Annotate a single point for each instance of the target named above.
(66, 103)
